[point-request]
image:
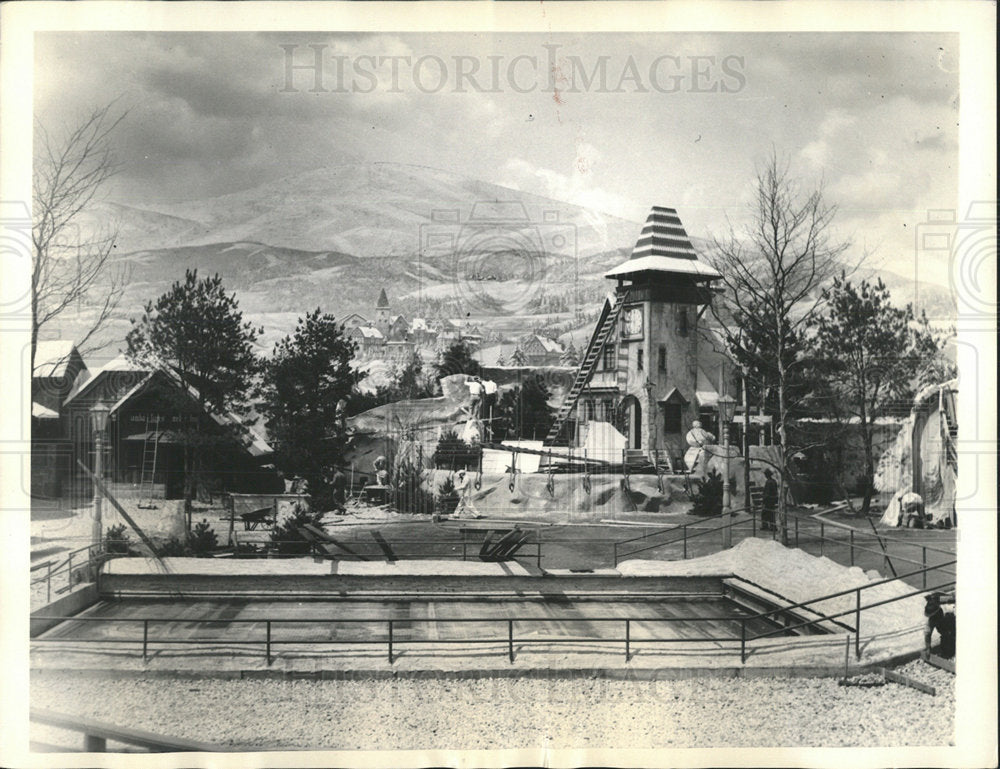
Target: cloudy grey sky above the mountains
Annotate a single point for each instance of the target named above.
(615, 122)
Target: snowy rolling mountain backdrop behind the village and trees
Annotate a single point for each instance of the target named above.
(439, 243)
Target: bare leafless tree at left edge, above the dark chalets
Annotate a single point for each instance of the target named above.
(72, 266)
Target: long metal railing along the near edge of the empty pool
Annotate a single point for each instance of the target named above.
(392, 641)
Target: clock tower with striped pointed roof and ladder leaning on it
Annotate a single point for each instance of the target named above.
(640, 370)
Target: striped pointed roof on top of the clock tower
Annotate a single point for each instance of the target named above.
(664, 247)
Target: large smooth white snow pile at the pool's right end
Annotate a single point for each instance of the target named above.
(798, 576)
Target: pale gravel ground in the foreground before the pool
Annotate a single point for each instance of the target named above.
(491, 713)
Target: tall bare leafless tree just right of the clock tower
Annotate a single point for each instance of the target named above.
(773, 272)
